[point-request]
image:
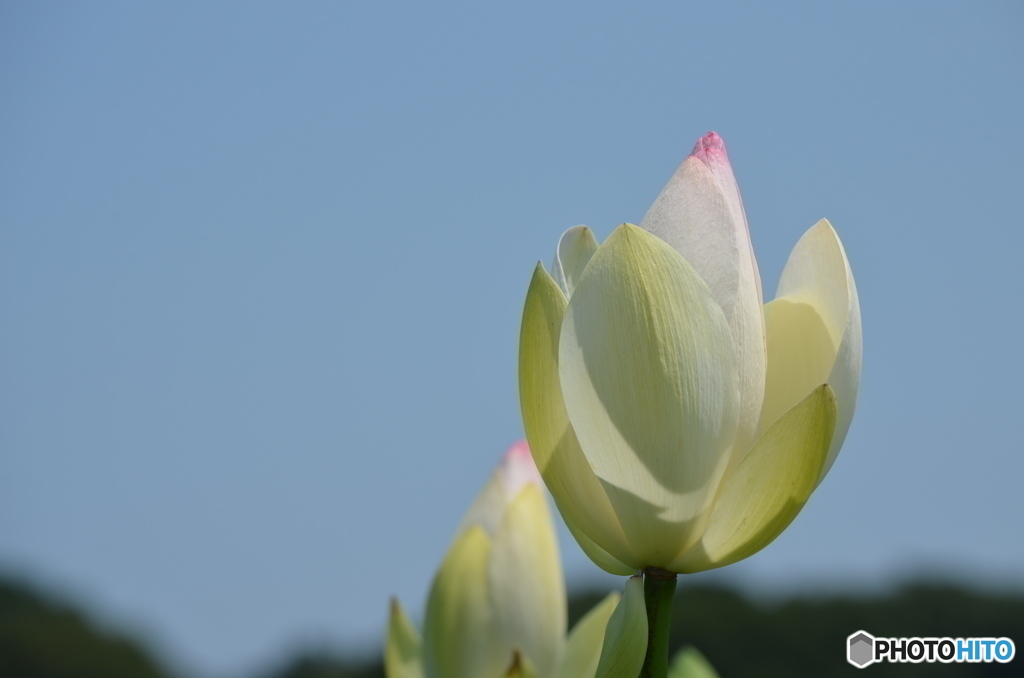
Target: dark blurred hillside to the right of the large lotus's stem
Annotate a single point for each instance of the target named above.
(806, 638)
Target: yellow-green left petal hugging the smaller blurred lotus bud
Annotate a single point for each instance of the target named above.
(458, 633)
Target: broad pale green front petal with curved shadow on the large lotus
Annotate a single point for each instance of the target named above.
(647, 369)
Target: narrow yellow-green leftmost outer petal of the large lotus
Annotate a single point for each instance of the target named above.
(579, 494)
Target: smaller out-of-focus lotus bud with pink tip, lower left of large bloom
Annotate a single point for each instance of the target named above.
(497, 608)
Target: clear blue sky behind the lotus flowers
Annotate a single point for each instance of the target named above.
(263, 269)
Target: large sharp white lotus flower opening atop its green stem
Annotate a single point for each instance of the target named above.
(678, 421)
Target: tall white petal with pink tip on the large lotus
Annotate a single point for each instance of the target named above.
(701, 215)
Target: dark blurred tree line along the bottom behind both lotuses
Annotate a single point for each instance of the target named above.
(45, 639)
